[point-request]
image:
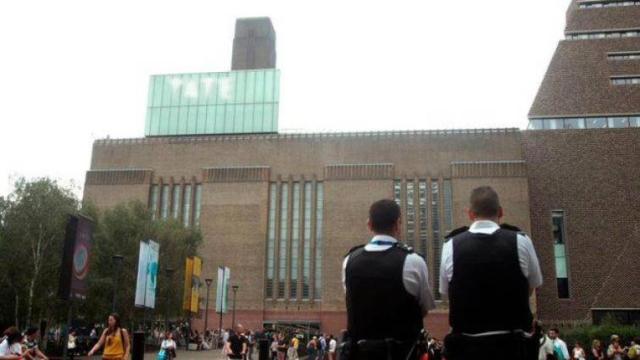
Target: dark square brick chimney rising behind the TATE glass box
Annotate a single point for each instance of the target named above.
(254, 45)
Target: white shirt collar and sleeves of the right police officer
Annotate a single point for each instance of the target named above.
(526, 255)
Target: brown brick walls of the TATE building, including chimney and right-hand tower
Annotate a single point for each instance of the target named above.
(281, 210)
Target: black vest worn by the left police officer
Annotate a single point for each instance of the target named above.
(378, 305)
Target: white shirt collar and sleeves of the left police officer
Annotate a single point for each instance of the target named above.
(415, 274)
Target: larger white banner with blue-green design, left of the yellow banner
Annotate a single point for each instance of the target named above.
(147, 274)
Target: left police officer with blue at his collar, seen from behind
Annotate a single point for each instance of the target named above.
(387, 290)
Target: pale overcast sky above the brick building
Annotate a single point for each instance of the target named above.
(75, 71)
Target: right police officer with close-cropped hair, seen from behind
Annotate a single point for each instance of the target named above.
(488, 271)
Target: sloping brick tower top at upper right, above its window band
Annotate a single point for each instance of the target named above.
(593, 80)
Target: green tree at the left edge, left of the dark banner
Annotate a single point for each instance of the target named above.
(33, 219)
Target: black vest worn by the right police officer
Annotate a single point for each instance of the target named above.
(488, 291)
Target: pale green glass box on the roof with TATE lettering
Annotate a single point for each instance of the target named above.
(236, 102)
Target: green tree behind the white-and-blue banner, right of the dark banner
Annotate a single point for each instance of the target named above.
(119, 231)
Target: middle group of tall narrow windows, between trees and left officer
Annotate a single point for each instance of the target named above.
(291, 207)
